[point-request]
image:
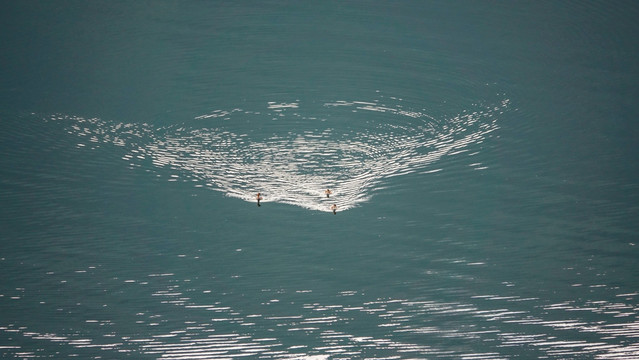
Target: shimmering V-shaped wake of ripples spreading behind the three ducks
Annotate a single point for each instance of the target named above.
(291, 156)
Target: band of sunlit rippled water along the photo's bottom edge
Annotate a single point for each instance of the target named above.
(347, 325)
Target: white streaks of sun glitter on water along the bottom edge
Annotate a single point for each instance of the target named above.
(499, 322)
